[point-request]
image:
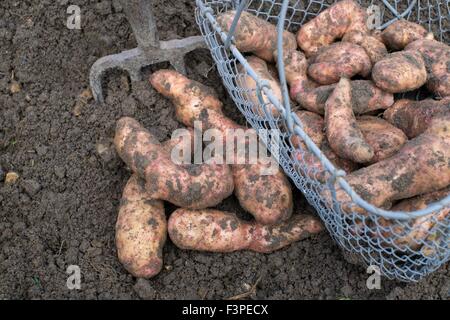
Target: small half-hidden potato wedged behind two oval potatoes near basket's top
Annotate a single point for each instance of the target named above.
(375, 49)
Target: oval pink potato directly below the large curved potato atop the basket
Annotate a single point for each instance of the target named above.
(341, 59)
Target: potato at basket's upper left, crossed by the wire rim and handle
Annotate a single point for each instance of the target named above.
(255, 35)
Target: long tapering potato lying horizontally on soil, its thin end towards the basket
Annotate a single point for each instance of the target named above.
(219, 231)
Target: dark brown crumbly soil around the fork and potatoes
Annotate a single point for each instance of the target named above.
(62, 209)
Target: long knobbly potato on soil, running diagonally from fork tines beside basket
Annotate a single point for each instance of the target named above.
(254, 191)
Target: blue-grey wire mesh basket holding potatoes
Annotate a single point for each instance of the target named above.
(403, 245)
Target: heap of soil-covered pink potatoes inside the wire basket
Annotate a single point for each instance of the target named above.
(345, 81)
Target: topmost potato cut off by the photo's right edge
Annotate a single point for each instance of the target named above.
(437, 61)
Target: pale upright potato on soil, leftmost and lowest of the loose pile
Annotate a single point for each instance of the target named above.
(141, 230)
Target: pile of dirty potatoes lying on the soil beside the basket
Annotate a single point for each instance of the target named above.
(142, 228)
